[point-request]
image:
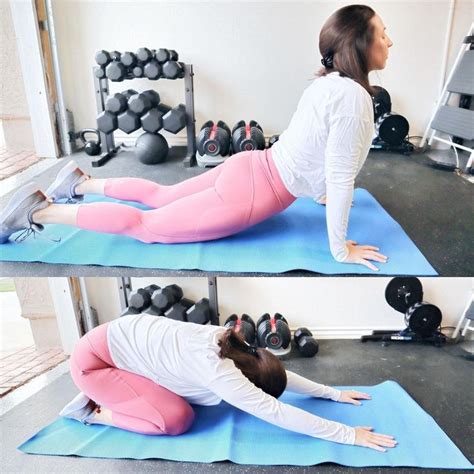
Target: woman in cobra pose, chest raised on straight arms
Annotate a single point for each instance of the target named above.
(319, 155)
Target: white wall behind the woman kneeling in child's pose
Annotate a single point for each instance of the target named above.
(331, 307)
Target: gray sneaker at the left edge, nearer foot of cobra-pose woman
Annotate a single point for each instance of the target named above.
(18, 213)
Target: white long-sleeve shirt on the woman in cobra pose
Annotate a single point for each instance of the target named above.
(324, 147)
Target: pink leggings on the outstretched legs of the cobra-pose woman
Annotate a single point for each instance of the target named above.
(244, 190)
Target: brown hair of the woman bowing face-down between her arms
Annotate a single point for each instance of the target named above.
(260, 366)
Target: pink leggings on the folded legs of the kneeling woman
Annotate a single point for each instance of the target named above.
(137, 403)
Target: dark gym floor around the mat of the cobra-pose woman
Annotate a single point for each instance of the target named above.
(435, 208)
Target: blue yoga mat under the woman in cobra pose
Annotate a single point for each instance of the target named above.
(295, 239)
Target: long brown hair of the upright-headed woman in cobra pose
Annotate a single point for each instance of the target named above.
(344, 43)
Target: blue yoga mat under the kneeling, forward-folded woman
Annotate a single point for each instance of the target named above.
(223, 432)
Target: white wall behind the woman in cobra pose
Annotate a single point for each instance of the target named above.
(252, 59)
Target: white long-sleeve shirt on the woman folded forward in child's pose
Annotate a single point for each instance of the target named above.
(184, 358)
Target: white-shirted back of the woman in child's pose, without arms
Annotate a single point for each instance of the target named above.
(182, 357)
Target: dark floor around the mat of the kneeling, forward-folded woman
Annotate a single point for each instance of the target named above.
(439, 379)
